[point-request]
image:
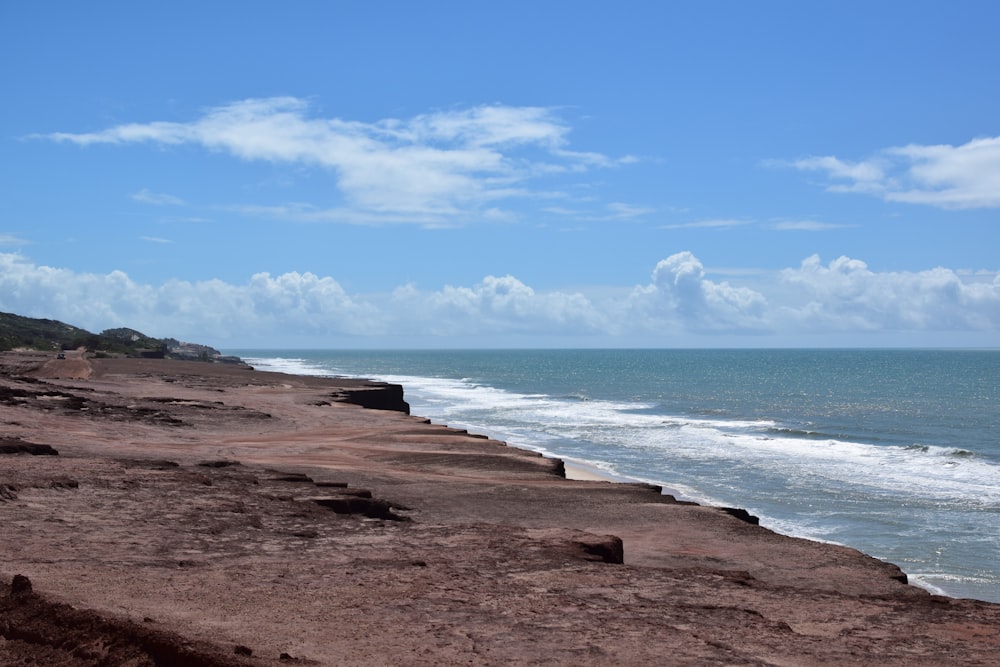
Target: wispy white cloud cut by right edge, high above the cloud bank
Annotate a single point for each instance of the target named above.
(946, 176)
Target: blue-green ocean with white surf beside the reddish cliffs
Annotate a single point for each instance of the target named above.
(892, 452)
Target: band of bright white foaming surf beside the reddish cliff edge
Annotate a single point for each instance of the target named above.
(636, 439)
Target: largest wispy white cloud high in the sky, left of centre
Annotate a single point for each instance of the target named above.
(432, 167)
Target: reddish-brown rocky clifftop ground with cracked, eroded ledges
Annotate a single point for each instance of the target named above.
(166, 512)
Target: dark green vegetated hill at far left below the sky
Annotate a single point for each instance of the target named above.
(19, 332)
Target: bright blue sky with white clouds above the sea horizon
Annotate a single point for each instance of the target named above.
(518, 174)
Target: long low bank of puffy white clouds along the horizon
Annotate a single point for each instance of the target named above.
(680, 302)
